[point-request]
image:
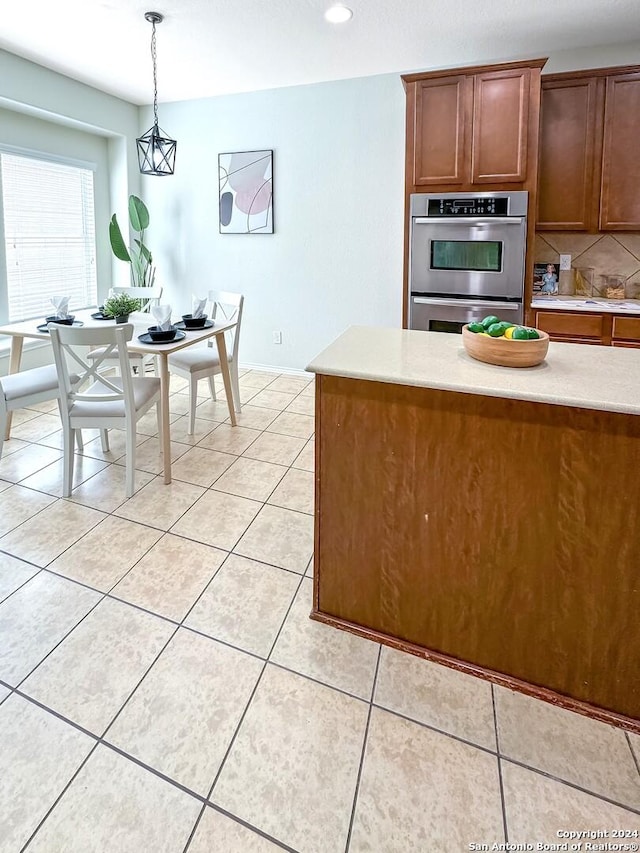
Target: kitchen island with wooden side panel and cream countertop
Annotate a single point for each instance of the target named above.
(484, 517)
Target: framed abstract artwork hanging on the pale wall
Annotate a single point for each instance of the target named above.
(246, 192)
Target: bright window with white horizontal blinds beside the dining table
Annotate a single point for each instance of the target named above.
(49, 232)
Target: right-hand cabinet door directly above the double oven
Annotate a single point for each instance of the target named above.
(500, 126)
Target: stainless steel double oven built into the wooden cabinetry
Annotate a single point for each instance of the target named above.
(467, 258)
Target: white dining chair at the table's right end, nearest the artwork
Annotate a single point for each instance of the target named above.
(196, 363)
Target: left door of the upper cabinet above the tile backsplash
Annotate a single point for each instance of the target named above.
(570, 150)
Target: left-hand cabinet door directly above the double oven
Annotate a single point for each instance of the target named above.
(440, 119)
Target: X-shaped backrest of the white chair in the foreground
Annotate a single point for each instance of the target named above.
(70, 347)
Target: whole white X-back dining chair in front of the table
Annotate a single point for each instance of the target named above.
(109, 402)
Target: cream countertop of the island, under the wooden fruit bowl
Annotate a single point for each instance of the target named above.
(594, 377)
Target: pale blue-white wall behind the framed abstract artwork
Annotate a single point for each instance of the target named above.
(335, 258)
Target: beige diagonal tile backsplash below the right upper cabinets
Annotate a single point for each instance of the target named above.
(601, 264)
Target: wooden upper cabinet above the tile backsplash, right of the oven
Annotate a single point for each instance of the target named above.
(589, 169)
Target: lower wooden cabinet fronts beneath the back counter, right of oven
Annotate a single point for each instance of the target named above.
(580, 328)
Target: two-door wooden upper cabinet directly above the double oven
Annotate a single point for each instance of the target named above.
(471, 127)
